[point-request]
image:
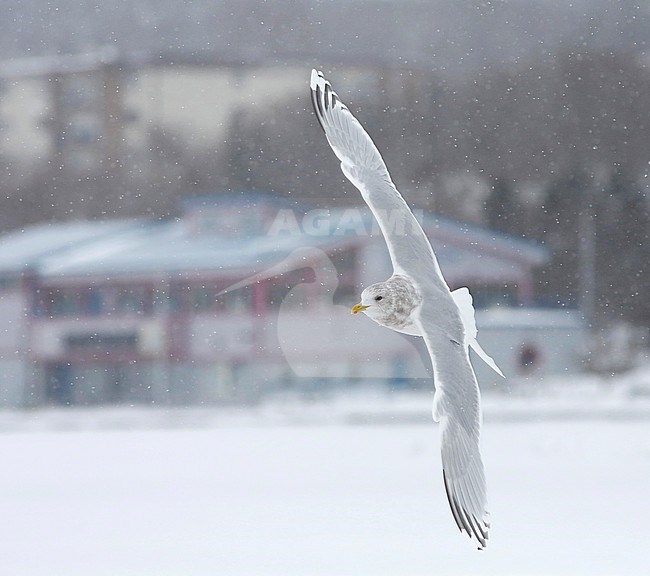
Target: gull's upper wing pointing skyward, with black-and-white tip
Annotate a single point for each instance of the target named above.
(362, 164)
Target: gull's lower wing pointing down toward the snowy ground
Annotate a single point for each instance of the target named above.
(457, 406)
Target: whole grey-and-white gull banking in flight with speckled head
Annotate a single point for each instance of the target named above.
(416, 300)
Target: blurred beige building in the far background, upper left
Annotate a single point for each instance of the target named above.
(99, 108)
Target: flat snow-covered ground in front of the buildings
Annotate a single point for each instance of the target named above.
(349, 485)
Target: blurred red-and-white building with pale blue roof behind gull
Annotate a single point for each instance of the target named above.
(242, 294)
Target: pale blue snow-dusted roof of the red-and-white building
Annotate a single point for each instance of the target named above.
(241, 232)
